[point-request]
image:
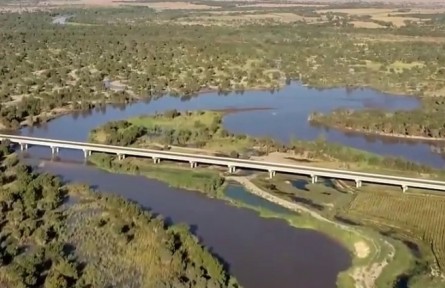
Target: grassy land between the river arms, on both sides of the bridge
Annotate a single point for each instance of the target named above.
(334, 207)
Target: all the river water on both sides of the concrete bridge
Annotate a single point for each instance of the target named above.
(259, 252)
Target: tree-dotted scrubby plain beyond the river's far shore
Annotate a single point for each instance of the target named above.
(147, 54)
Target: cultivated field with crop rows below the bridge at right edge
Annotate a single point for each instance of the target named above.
(420, 217)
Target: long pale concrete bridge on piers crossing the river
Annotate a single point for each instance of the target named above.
(231, 163)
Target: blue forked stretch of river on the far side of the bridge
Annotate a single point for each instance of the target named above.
(286, 120)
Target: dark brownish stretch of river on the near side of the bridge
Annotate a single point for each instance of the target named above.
(261, 253)
